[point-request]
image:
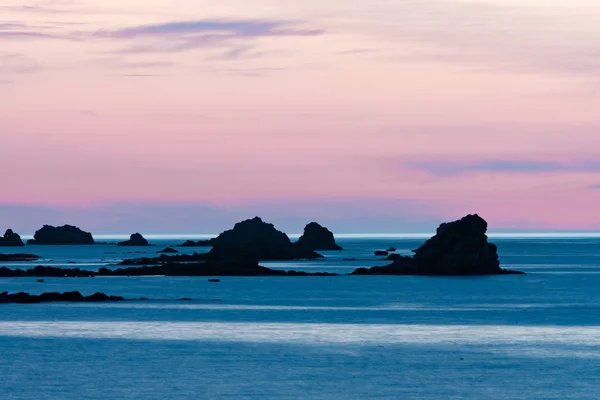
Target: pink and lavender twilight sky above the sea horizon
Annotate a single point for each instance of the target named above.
(371, 116)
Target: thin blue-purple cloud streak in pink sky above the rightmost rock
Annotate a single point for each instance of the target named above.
(449, 168)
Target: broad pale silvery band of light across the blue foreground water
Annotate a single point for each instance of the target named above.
(307, 333)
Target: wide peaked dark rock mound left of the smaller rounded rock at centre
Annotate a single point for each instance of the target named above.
(254, 239)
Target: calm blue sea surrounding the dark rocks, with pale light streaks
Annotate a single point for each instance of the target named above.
(507, 337)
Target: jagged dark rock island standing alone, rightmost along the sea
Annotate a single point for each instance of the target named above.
(458, 248)
